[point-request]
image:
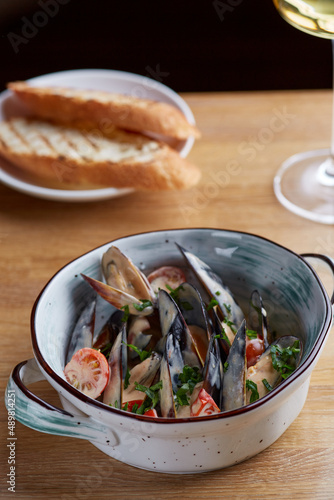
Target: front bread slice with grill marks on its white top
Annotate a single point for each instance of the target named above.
(77, 156)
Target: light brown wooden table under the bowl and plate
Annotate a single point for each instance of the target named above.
(245, 138)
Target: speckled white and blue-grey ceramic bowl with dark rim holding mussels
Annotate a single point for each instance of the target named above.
(296, 302)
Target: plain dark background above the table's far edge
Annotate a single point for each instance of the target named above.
(204, 45)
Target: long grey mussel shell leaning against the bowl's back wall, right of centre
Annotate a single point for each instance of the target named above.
(215, 287)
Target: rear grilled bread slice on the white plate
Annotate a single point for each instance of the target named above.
(126, 112)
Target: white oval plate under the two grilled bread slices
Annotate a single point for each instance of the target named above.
(99, 79)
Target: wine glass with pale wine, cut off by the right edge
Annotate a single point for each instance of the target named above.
(305, 182)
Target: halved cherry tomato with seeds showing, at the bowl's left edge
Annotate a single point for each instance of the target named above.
(88, 371)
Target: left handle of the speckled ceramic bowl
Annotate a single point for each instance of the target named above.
(30, 410)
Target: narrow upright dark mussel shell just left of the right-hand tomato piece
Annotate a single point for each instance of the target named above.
(234, 392)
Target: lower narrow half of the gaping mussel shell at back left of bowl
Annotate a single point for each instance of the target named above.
(118, 298)
